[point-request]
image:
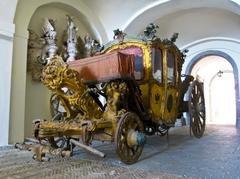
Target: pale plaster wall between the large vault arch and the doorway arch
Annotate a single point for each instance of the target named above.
(195, 24)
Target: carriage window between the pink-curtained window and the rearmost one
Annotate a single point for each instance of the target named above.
(157, 64)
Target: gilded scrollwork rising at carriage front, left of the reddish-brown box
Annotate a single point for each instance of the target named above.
(67, 83)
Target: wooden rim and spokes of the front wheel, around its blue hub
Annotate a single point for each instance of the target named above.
(128, 154)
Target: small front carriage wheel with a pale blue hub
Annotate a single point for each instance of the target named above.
(129, 138)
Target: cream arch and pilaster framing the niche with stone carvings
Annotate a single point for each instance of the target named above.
(24, 12)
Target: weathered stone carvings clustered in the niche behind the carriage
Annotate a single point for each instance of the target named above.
(42, 48)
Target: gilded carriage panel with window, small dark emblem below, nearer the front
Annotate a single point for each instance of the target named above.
(156, 85)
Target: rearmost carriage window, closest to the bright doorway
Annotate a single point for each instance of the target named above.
(170, 68)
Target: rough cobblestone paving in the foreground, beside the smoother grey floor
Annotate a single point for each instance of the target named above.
(19, 164)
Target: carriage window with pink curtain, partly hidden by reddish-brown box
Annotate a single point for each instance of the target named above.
(138, 53)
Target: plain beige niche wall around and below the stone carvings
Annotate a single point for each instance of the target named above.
(37, 95)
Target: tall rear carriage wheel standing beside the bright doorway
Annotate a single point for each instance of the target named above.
(197, 109)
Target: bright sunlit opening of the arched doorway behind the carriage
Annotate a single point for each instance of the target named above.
(219, 91)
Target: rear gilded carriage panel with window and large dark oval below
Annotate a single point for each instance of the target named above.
(170, 108)
